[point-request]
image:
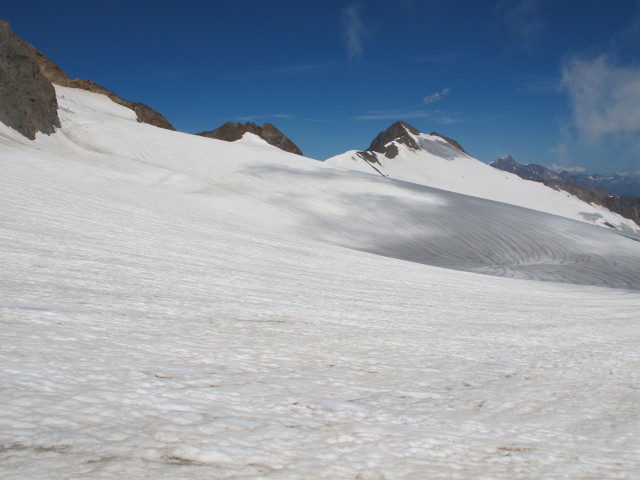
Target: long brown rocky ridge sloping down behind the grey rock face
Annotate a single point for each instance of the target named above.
(51, 73)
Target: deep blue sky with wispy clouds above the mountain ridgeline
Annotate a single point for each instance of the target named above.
(549, 82)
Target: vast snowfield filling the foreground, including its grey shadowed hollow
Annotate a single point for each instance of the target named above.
(179, 307)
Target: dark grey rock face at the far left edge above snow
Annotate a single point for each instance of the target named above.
(27, 99)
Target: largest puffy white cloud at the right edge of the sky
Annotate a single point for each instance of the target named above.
(605, 98)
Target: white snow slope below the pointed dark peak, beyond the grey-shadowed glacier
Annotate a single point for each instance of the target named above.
(437, 164)
